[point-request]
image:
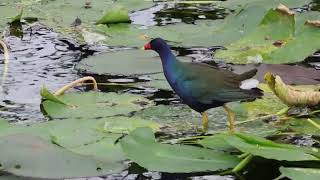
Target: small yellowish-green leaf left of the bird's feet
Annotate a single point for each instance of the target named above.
(124, 125)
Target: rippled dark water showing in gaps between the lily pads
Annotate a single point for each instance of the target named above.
(40, 57)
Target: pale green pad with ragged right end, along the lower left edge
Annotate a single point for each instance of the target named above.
(83, 136)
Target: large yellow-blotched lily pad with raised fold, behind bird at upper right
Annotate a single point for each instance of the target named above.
(275, 41)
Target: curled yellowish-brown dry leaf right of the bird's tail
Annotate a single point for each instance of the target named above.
(292, 96)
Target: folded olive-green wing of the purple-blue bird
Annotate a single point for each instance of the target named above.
(207, 83)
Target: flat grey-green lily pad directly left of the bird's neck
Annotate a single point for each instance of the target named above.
(127, 62)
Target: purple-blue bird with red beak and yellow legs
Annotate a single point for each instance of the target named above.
(202, 86)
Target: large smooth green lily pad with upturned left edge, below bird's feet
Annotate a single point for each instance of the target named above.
(172, 158)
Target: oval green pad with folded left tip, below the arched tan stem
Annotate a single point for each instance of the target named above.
(94, 105)
